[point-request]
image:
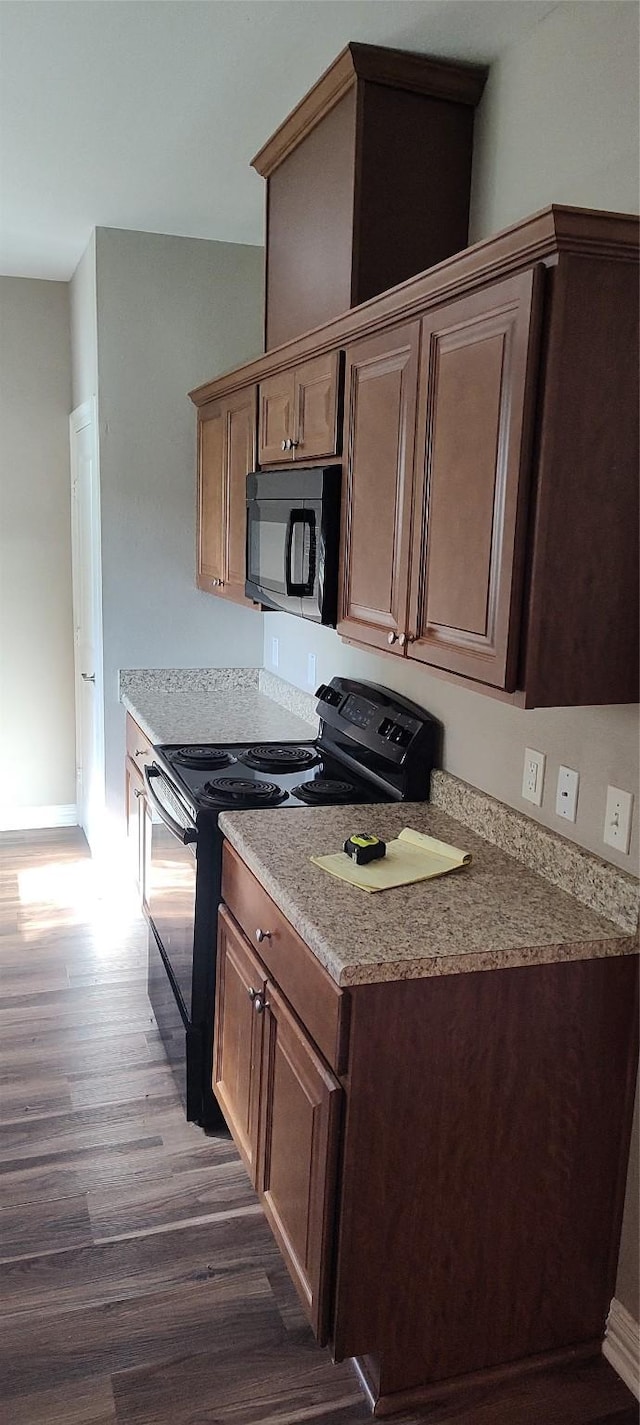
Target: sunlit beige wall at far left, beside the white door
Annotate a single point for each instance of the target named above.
(38, 755)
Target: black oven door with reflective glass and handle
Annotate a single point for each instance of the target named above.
(172, 873)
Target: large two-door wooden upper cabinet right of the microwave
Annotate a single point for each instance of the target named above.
(522, 579)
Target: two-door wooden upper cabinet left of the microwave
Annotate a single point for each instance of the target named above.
(226, 457)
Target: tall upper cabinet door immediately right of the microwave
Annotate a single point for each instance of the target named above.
(381, 385)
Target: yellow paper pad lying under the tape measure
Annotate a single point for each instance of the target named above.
(414, 857)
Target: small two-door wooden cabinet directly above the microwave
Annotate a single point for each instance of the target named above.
(301, 413)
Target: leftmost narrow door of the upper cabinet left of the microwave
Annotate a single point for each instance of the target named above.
(212, 511)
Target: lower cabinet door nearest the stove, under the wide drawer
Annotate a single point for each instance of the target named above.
(239, 1034)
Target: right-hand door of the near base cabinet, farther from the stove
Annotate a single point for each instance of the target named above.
(300, 1125)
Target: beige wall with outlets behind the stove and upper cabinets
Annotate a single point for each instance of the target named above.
(558, 123)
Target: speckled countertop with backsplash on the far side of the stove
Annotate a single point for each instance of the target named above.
(207, 706)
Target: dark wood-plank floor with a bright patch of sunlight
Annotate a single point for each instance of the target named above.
(139, 1282)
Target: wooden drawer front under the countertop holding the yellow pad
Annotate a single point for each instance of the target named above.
(313, 994)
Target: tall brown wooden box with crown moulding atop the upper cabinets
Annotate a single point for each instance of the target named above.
(368, 183)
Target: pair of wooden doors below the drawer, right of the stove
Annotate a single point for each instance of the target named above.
(282, 1104)
